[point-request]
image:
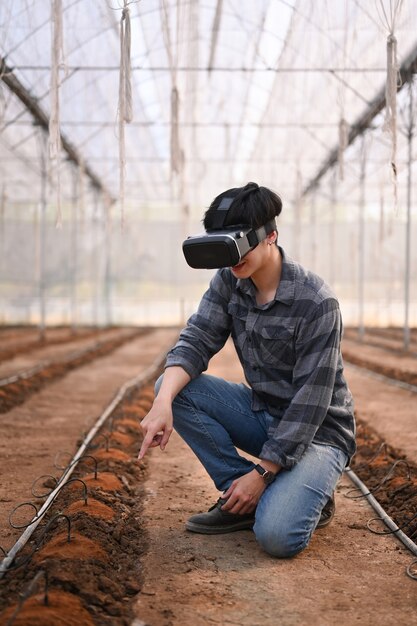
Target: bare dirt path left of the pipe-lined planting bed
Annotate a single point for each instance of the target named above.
(54, 419)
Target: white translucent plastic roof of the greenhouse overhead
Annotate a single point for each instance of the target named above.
(262, 87)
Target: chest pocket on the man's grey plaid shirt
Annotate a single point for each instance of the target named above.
(276, 345)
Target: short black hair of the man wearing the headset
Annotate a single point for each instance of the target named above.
(252, 205)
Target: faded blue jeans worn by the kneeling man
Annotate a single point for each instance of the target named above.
(214, 417)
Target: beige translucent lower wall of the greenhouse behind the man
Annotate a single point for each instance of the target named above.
(98, 273)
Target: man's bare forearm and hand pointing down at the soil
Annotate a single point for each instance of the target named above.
(157, 425)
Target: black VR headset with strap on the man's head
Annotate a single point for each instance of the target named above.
(223, 247)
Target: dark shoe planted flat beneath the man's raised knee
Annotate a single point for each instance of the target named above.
(216, 521)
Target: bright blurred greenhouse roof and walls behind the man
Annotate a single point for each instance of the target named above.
(120, 121)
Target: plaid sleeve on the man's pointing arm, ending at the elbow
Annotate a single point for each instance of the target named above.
(206, 331)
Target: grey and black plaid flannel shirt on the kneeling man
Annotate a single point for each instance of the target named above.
(290, 353)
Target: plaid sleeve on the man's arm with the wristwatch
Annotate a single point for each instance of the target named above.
(317, 357)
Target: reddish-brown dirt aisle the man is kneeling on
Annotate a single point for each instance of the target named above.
(347, 575)
